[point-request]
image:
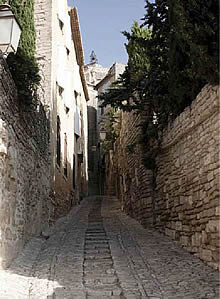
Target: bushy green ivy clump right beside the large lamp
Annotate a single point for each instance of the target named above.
(23, 64)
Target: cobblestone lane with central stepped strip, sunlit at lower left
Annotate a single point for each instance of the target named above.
(98, 252)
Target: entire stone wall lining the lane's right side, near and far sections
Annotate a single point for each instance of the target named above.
(185, 201)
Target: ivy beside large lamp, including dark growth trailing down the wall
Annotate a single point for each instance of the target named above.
(25, 72)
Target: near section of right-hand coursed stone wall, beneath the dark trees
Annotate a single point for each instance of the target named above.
(187, 203)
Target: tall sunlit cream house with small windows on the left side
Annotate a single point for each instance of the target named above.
(60, 55)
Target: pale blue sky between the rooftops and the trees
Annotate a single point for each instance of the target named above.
(101, 23)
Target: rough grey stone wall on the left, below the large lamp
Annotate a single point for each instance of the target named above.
(25, 207)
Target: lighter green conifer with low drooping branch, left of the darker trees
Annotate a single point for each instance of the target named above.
(125, 92)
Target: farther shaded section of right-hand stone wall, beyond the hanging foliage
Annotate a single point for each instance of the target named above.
(126, 172)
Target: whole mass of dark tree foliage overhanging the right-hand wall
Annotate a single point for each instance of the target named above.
(172, 55)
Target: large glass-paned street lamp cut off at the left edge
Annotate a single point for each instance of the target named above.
(10, 30)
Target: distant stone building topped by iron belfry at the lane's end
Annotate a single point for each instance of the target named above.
(98, 79)
